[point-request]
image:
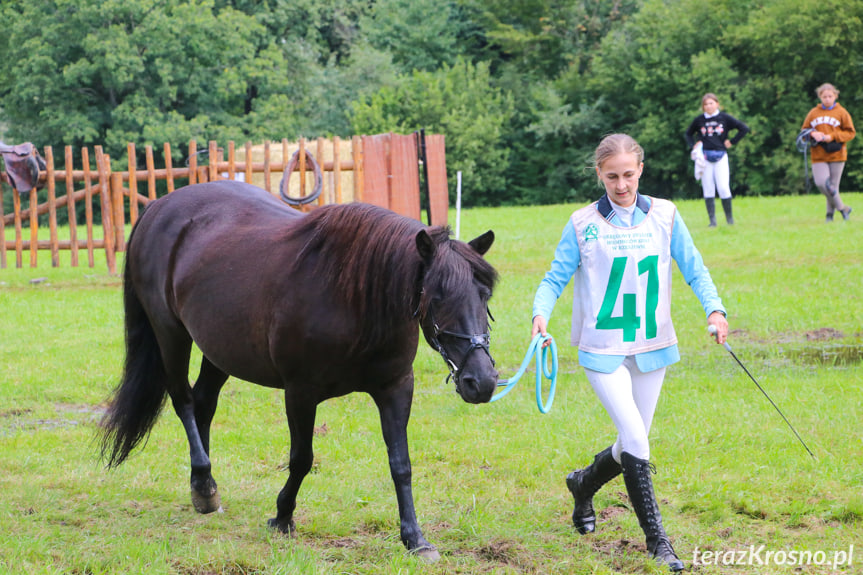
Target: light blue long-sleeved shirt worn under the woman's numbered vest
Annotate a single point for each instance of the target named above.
(567, 259)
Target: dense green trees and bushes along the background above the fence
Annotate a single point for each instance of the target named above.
(523, 90)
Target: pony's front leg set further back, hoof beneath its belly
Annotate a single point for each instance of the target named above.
(301, 422)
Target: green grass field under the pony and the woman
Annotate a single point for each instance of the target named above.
(488, 479)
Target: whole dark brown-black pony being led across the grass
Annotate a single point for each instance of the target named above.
(319, 305)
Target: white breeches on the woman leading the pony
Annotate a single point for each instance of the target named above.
(629, 396)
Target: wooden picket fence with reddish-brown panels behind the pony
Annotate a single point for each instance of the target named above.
(385, 170)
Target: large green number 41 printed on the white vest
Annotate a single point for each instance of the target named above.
(629, 321)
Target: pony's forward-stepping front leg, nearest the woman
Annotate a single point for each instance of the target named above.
(394, 405)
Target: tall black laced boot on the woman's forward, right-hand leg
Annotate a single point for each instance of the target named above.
(636, 475)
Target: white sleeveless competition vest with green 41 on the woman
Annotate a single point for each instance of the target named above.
(623, 290)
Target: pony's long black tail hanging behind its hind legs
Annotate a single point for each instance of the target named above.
(138, 399)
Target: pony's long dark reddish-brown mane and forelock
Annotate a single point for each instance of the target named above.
(368, 255)
